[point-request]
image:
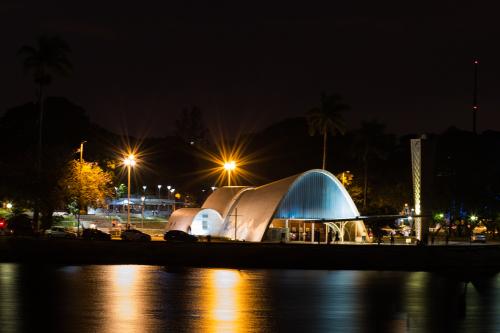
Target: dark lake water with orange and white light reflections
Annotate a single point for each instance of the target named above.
(132, 298)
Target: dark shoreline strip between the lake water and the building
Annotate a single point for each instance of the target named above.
(477, 259)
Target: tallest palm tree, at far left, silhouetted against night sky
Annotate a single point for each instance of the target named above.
(47, 59)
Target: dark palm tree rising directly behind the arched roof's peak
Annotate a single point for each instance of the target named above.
(327, 118)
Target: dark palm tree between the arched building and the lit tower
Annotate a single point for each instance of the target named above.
(370, 142)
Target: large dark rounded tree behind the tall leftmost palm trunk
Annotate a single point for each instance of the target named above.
(65, 126)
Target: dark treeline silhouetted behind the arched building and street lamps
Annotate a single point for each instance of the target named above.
(465, 177)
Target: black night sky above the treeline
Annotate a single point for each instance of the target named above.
(137, 63)
